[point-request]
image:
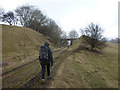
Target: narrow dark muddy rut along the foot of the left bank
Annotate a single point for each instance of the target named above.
(16, 68)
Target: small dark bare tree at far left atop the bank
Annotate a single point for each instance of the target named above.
(8, 17)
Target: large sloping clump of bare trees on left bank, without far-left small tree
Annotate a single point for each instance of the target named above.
(31, 17)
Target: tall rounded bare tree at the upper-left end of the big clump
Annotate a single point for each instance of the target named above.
(31, 17)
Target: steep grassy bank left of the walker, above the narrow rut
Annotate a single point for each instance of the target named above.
(20, 45)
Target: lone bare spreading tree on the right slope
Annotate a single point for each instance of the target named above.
(94, 36)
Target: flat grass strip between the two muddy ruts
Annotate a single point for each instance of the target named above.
(22, 75)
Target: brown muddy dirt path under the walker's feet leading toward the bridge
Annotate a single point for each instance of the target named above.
(35, 81)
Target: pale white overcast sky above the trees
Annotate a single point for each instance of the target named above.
(75, 14)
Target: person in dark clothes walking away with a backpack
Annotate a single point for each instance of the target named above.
(46, 59)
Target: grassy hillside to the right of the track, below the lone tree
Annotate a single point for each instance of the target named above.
(86, 69)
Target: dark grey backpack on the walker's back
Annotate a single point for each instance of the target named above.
(43, 56)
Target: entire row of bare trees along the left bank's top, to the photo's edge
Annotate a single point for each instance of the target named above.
(31, 17)
